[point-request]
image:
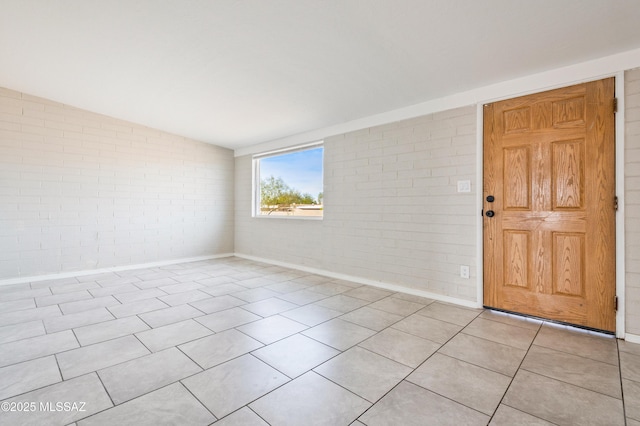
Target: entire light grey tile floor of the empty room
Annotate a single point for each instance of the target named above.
(236, 342)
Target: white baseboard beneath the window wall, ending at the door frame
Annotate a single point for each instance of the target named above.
(379, 284)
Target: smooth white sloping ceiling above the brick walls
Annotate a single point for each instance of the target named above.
(240, 72)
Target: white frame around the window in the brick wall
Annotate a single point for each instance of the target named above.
(255, 187)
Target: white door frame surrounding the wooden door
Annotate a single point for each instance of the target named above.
(619, 176)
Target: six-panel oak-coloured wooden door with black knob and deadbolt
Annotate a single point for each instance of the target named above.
(549, 164)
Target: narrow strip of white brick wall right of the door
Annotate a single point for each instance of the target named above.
(632, 200)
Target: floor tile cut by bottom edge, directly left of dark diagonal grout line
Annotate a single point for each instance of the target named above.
(411, 405)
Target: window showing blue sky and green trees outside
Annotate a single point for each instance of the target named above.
(289, 183)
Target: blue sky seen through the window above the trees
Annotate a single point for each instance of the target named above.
(300, 170)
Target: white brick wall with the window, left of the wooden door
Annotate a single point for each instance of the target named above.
(392, 211)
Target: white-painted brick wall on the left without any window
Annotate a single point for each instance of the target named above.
(81, 191)
